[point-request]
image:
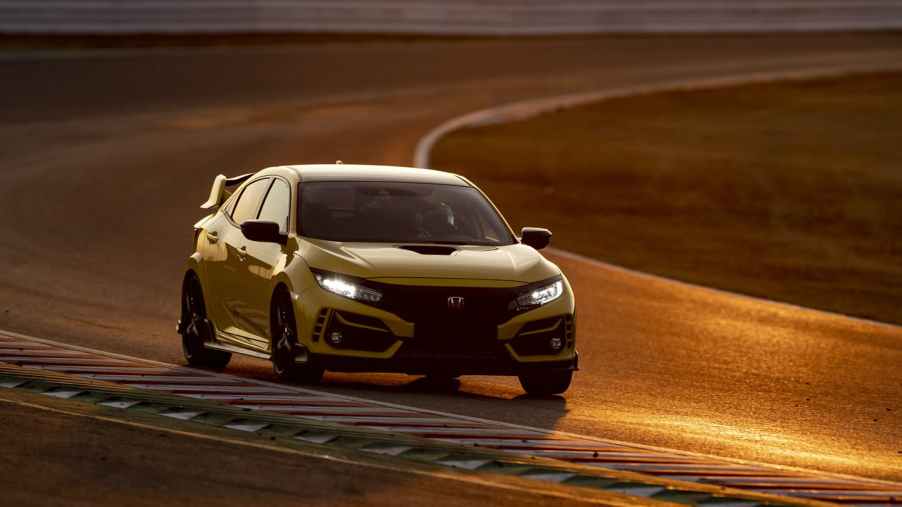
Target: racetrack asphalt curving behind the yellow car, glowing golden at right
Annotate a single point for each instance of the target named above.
(106, 157)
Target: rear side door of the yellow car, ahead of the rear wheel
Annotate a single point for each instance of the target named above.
(230, 272)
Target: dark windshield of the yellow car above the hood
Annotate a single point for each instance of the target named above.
(397, 212)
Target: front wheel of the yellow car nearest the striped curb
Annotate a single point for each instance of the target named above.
(285, 345)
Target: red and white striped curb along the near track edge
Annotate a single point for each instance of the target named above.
(312, 404)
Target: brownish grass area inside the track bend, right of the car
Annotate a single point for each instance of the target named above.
(790, 191)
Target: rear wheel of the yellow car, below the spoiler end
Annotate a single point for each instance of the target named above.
(197, 329)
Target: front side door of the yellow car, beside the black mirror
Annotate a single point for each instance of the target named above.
(262, 258)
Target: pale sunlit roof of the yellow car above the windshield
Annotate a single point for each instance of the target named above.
(355, 172)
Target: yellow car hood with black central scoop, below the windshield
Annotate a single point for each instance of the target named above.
(509, 263)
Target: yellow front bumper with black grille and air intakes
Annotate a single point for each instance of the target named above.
(375, 340)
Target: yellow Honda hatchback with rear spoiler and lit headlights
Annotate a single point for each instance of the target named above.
(373, 268)
